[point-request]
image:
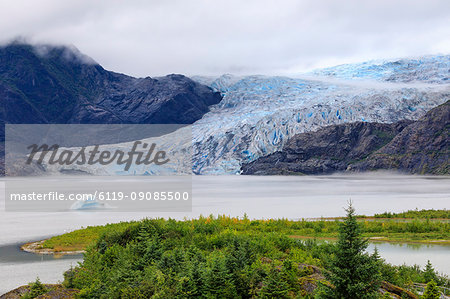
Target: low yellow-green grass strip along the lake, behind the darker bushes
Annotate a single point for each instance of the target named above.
(417, 229)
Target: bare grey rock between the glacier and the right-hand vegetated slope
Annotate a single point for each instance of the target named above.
(327, 150)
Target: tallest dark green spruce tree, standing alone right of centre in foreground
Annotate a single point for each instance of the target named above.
(353, 273)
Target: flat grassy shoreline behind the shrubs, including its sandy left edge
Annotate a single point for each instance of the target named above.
(415, 230)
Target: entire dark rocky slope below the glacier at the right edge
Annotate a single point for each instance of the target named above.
(408, 146)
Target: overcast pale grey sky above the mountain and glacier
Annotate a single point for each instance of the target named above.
(211, 37)
